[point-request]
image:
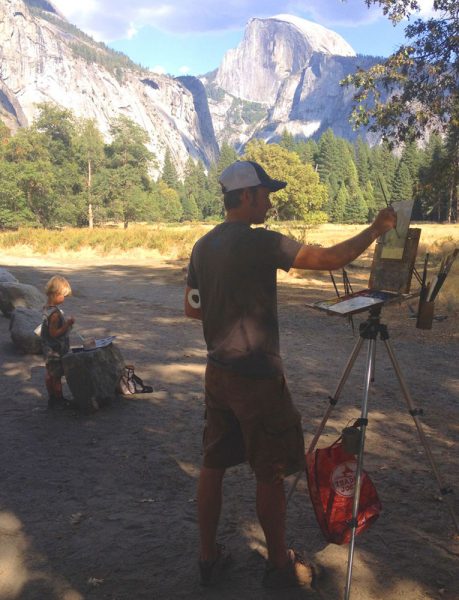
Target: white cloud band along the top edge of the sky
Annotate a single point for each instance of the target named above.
(117, 19)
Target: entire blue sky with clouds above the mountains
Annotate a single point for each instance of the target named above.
(186, 37)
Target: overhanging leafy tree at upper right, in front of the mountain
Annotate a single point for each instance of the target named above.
(416, 88)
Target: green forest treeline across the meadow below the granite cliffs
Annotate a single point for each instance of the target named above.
(60, 171)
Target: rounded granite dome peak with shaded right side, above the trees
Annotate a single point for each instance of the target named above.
(286, 74)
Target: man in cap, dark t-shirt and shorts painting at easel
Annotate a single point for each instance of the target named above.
(250, 415)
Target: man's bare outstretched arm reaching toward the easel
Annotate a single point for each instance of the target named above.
(339, 255)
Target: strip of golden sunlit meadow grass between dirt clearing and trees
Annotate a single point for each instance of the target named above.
(176, 240)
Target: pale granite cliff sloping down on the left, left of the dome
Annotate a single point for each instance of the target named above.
(44, 59)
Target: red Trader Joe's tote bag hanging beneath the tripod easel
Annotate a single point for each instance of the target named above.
(331, 482)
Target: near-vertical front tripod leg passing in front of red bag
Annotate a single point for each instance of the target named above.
(358, 473)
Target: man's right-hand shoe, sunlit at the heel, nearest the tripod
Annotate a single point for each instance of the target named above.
(296, 573)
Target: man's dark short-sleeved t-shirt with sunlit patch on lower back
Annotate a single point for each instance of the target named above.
(234, 268)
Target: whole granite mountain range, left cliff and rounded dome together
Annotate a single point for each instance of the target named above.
(284, 75)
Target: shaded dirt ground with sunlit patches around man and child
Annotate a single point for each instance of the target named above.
(102, 507)
